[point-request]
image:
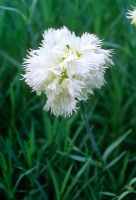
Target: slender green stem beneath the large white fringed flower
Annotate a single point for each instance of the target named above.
(89, 131)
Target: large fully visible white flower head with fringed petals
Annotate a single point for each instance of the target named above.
(66, 68)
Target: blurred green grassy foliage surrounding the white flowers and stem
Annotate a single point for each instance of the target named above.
(45, 157)
